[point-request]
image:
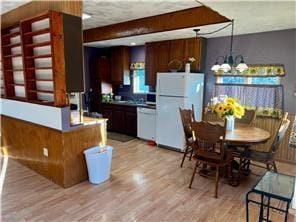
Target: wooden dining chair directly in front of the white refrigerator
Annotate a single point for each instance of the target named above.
(187, 117)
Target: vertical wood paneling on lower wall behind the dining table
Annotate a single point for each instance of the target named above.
(285, 153)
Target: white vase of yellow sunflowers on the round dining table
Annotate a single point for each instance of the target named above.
(227, 108)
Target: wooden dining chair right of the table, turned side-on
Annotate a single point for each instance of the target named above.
(267, 158)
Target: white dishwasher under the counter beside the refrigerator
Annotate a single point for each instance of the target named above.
(146, 123)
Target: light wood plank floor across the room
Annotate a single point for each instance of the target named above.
(147, 184)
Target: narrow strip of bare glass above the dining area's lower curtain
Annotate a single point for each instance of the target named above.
(248, 80)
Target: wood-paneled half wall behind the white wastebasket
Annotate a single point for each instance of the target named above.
(65, 164)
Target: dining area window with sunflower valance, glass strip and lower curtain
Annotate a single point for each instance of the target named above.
(258, 87)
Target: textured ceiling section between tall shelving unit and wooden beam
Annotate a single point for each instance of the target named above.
(107, 12)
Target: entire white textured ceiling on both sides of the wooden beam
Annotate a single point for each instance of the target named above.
(250, 16)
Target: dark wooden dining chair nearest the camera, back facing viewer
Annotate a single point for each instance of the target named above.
(208, 147)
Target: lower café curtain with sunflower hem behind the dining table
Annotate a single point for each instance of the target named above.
(267, 99)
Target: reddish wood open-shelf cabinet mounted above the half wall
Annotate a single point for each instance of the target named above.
(42, 59)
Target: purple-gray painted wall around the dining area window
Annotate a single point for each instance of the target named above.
(277, 47)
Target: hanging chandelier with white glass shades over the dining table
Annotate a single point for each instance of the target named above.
(228, 62)
